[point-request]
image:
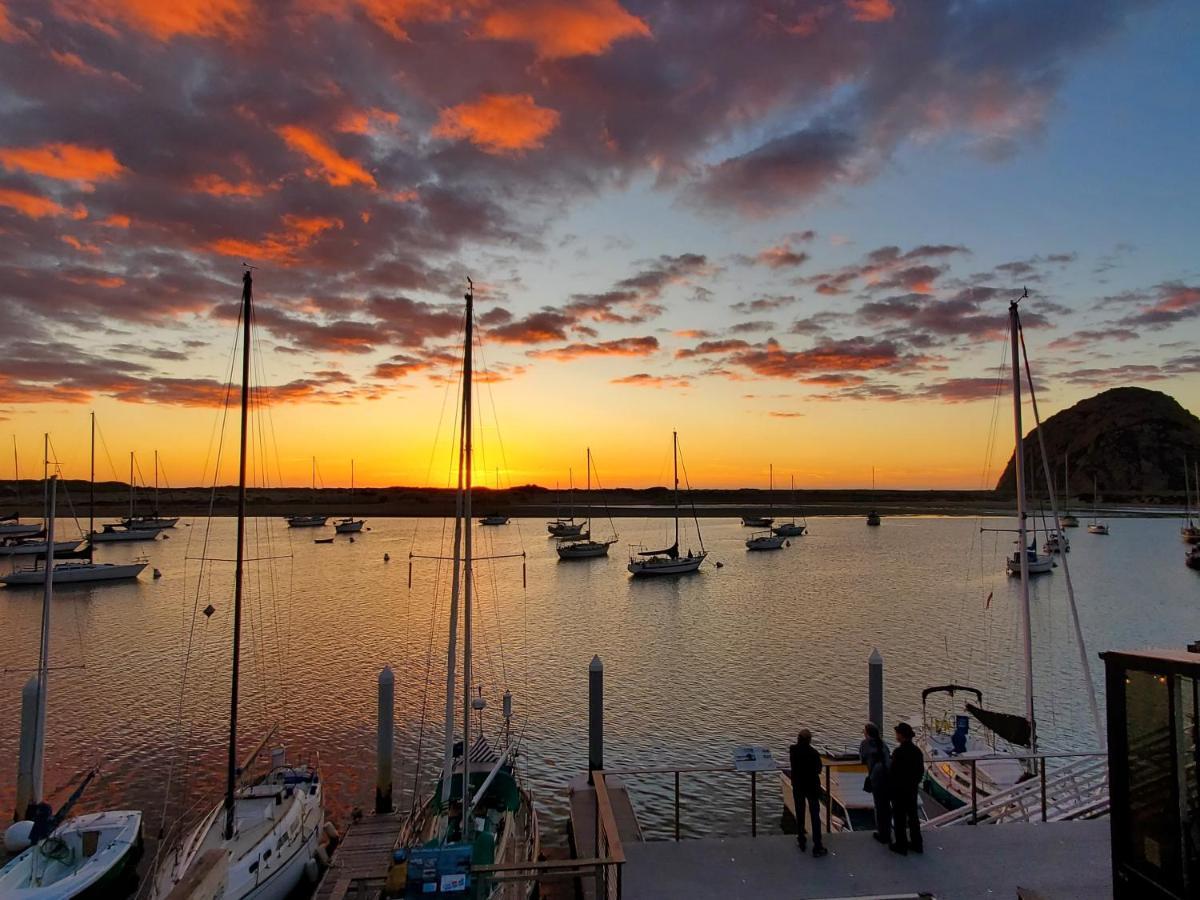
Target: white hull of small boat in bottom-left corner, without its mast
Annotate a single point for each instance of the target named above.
(59, 868)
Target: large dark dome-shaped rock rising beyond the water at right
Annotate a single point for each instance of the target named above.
(1133, 441)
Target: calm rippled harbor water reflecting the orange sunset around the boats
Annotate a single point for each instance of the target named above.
(746, 653)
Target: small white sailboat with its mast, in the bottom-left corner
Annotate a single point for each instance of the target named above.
(63, 857)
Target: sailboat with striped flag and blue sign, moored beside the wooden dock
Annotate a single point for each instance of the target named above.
(478, 814)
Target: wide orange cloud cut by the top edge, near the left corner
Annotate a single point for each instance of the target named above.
(163, 21)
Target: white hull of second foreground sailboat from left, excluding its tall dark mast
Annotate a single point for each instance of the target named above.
(277, 836)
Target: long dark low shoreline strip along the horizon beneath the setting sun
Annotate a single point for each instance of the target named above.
(533, 502)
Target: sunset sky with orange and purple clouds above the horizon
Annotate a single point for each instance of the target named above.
(789, 230)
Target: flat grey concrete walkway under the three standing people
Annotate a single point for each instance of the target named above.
(1065, 861)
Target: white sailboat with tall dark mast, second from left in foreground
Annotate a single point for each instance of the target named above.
(268, 830)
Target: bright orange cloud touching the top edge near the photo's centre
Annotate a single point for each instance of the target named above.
(557, 29)
